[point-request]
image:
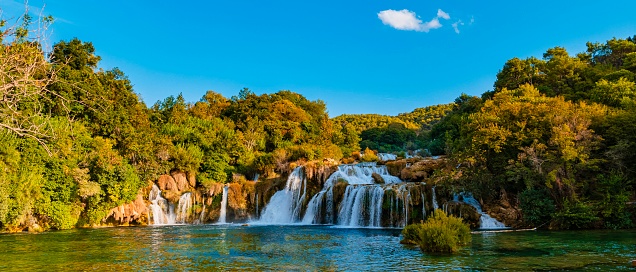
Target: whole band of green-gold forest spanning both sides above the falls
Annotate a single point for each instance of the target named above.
(556, 136)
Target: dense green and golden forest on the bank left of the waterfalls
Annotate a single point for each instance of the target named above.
(77, 141)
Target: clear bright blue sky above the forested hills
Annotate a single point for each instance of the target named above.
(382, 57)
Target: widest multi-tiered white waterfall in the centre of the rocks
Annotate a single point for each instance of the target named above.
(361, 205)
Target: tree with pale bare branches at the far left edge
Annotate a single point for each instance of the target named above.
(25, 77)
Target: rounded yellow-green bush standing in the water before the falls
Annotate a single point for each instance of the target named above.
(440, 233)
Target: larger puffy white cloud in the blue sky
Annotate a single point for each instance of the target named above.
(408, 20)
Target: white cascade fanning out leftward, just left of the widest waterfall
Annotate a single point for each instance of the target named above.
(285, 206)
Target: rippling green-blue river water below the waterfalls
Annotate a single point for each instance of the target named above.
(210, 248)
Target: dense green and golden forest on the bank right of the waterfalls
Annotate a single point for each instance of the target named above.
(555, 137)
